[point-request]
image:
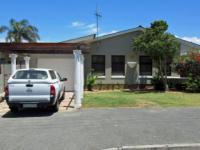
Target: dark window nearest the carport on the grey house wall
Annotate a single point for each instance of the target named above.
(98, 65)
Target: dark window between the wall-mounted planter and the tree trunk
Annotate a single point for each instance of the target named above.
(145, 65)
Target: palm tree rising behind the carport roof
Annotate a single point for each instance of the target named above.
(20, 31)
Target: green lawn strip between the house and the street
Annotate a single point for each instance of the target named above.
(140, 99)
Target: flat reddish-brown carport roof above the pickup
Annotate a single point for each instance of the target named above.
(42, 48)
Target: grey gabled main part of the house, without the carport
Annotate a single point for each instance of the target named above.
(112, 58)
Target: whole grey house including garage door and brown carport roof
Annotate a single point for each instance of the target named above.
(110, 57)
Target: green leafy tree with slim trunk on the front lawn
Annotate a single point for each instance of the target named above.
(159, 45)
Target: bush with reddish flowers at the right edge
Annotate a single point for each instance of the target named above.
(189, 66)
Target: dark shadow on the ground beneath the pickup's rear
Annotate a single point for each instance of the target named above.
(28, 113)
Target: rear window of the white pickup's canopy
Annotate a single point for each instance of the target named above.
(30, 74)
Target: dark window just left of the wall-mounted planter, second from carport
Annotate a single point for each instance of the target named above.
(118, 65)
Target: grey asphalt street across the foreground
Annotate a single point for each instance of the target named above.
(96, 129)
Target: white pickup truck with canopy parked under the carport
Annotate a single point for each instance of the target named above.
(33, 88)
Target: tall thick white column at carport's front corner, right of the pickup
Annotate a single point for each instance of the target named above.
(77, 80)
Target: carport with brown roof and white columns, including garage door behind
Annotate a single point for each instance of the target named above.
(58, 56)
